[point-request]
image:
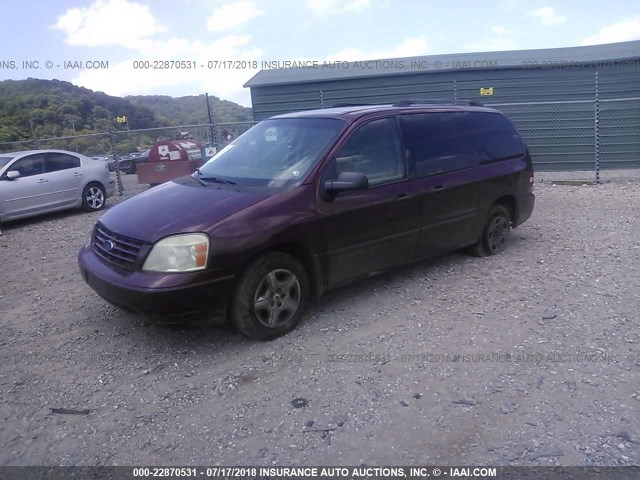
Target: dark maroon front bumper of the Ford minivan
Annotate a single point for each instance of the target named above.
(179, 303)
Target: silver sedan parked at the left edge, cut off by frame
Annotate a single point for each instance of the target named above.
(40, 181)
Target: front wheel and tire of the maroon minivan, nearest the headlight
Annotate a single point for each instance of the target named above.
(270, 297)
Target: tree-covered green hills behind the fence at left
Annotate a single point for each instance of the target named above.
(40, 109)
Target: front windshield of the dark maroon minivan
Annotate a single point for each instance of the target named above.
(275, 155)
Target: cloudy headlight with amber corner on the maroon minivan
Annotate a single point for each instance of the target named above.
(179, 253)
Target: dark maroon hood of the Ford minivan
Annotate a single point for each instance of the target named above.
(175, 208)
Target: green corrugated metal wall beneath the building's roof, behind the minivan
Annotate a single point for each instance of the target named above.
(554, 108)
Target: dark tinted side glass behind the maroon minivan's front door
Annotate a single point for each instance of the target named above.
(442, 142)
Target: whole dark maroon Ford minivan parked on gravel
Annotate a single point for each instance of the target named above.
(309, 201)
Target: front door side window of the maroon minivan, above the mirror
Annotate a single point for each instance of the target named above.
(375, 150)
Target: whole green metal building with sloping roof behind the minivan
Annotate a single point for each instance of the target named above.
(577, 107)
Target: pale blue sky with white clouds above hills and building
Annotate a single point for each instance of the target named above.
(113, 45)
